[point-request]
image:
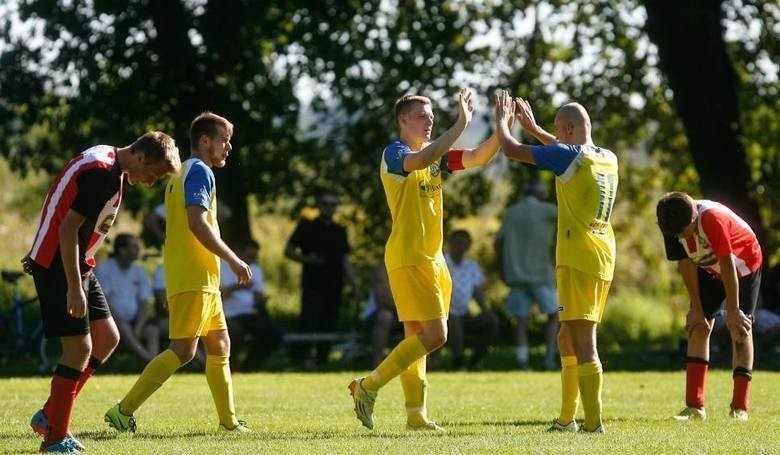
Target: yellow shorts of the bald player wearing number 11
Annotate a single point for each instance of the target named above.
(580, 295)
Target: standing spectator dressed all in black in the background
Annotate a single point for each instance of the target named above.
(321, 246)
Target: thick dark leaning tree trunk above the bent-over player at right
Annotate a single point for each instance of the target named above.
(692, 53)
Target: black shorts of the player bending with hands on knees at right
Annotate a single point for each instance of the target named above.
(713, 295)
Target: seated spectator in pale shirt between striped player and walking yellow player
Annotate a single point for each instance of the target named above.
(126, 287)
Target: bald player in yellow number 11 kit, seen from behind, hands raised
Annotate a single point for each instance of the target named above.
(586, 181)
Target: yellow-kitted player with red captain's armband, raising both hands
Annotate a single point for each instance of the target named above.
(411, 169)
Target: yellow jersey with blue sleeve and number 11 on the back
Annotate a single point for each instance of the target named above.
(586, 183)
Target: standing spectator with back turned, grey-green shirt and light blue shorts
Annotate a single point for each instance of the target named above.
(524, 247)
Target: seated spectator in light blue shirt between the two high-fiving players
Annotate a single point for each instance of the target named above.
(467, 281)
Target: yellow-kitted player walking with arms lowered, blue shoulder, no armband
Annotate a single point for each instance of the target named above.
(191, 256)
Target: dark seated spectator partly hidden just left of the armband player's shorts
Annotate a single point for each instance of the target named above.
(379, 315)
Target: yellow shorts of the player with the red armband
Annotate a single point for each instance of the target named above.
(421, 292)
